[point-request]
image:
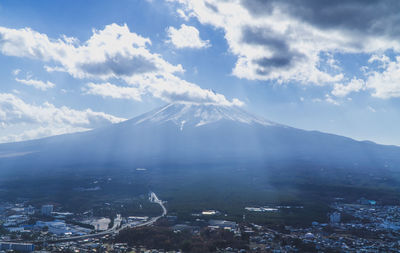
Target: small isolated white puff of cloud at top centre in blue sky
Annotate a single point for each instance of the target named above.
(186, 37)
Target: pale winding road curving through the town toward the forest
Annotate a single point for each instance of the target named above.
(117, 224)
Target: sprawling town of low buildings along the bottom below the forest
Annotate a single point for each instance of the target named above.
(363, 226)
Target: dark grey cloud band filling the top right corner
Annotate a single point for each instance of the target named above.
(369, 17)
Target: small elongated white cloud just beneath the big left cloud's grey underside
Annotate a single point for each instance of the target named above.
(113, 91)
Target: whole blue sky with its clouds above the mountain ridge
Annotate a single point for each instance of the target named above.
(69, 66)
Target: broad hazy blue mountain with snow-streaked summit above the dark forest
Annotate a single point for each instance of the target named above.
(188, 133)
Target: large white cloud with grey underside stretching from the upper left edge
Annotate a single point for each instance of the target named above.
(112, 52)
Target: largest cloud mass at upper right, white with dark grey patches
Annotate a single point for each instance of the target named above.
(284, 40)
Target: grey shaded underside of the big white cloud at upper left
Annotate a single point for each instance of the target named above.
(120, 65)
